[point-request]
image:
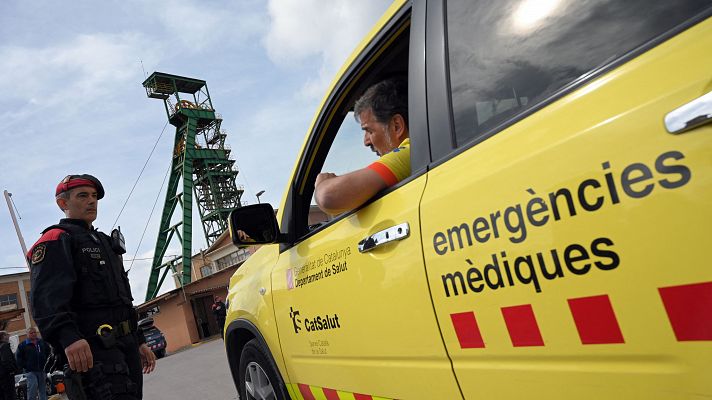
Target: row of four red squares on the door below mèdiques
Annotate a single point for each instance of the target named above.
(687, 308)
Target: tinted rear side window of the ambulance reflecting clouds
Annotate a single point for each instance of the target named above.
(508, 56)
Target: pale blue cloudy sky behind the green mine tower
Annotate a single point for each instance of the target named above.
(71, 99)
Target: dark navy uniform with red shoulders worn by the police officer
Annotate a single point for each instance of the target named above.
(78, 284)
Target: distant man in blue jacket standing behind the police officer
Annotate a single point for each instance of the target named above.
(31, 356)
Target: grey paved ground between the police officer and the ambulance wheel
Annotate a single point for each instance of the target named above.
(200, 373)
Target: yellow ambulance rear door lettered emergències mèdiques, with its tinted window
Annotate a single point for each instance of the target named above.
(566, 220)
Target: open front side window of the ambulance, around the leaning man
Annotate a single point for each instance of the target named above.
(337, 145)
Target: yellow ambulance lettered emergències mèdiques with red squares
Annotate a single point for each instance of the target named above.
(554, 237)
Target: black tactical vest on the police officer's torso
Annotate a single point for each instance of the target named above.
(101, 279)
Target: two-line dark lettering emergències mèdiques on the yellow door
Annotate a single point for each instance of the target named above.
(500, 271)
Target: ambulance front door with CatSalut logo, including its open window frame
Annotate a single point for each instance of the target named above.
(351, 297)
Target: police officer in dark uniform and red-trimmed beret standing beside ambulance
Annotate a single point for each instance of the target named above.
(81, 298)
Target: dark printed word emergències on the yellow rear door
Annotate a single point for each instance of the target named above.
(635, 180)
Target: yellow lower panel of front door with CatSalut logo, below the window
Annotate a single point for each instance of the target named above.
(362, 323)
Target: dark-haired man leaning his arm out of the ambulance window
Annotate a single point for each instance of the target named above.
(383, 114)
